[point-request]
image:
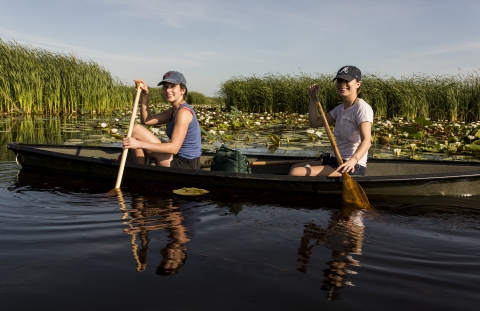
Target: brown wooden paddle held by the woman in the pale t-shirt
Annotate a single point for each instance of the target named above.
(352, 192)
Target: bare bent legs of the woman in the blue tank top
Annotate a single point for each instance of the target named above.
(140, 156)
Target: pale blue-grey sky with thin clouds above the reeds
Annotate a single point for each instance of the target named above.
(211, 41)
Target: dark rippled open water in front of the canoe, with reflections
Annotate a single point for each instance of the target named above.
(67, 244)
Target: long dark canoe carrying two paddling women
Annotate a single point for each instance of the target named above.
(269, 172)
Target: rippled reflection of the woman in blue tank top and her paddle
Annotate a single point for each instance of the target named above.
(155, 214)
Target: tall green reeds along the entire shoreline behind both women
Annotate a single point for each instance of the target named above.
(36, 81)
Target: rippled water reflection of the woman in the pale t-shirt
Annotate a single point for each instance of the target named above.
(344, 237)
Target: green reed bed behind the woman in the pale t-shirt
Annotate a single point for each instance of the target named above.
(436, 97)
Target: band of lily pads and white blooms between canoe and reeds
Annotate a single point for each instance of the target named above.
(412, 138)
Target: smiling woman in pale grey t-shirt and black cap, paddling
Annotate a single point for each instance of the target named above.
(353, 119)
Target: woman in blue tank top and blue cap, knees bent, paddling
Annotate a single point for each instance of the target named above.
(184, 148)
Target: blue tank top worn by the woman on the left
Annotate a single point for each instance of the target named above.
(192, 145)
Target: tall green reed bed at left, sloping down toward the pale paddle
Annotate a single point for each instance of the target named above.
(34, 80)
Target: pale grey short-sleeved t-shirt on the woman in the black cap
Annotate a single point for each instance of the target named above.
(347, 128)
